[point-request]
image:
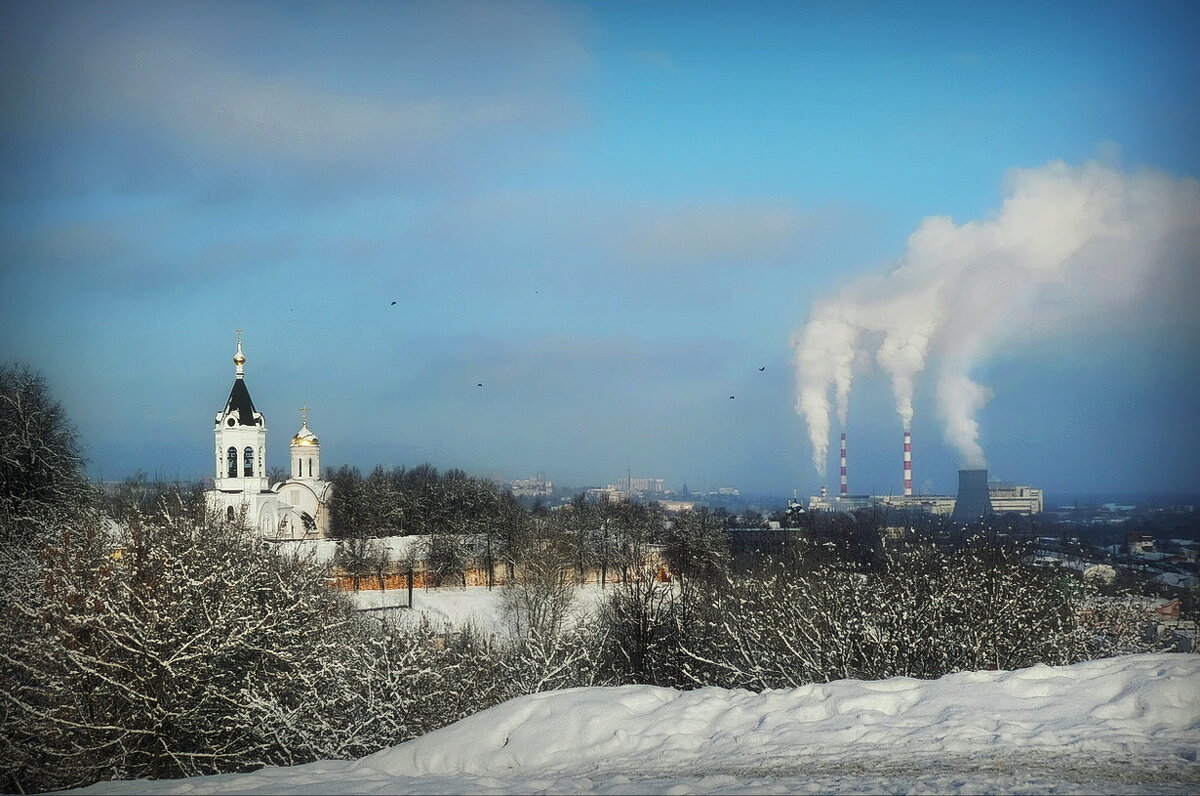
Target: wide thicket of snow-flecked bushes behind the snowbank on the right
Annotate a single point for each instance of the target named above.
(922, 613)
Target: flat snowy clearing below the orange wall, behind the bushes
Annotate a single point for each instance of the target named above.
(476, 605)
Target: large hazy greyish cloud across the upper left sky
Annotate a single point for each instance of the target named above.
(393, 87)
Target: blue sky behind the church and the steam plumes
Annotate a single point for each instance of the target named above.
(609, 214)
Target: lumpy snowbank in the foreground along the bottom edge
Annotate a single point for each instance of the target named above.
(1119, 726)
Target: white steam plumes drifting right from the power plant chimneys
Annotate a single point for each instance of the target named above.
(1066, 244)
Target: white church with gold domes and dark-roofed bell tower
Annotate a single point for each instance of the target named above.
(293, 510)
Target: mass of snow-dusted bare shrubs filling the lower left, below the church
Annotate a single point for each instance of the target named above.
(185, 647)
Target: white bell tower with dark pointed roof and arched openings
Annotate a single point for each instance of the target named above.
(241, 434)
